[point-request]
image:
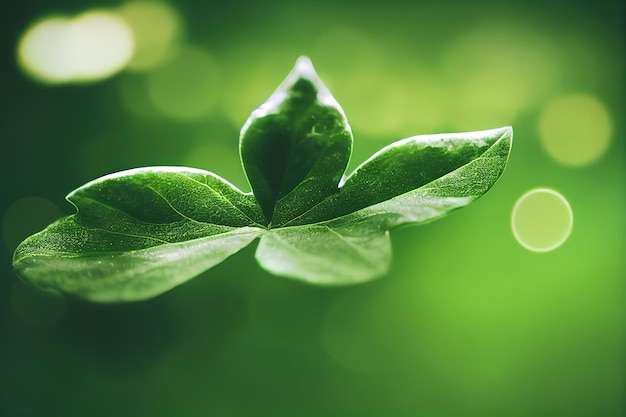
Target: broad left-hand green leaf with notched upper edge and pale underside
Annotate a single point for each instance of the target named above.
(139, 233)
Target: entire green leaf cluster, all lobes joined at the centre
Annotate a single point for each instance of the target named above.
(139, 233)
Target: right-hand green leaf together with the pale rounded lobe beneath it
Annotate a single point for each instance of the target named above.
(392, 188)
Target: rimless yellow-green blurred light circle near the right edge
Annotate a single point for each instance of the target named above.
(575, 129)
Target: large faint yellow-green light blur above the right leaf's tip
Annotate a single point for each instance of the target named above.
(495, 71)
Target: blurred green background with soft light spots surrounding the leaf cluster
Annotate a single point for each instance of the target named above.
(467, 323)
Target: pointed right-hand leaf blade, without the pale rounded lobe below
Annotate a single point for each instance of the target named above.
(470, 163)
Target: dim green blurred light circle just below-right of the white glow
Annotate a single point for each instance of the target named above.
(186, 87)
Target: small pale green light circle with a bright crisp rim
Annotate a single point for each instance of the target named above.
(542, 220)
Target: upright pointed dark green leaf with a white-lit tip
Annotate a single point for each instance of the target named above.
(295, 147)
